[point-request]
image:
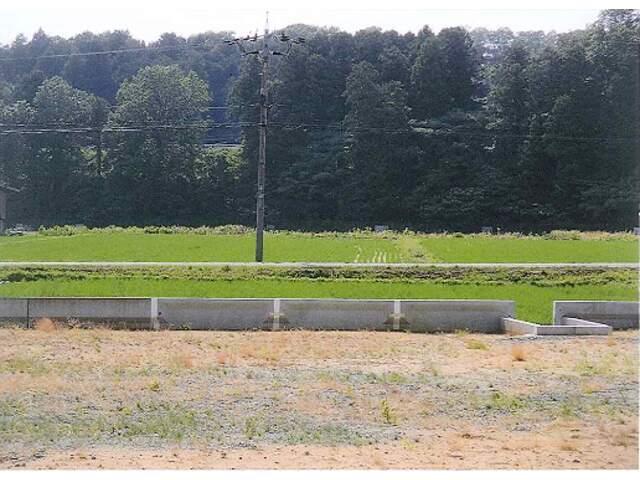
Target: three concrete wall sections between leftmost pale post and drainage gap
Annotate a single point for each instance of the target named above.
(333, 314)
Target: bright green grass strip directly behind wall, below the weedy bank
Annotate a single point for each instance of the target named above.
(533, 302)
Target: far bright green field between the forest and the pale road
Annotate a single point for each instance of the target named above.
(291, 247)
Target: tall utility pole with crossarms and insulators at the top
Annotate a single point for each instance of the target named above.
(264, 55)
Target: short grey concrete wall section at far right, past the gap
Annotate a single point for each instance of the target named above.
(619, 315)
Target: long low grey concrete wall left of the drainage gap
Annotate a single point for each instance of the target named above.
(274, 314)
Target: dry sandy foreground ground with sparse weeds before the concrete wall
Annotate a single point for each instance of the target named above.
(130, 400)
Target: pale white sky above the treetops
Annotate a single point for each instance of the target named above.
(147, 19)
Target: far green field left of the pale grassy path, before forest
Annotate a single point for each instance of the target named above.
(196, 248)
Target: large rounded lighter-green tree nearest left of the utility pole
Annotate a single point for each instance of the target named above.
(151, 161)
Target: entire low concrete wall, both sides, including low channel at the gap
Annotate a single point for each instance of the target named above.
(484, 316)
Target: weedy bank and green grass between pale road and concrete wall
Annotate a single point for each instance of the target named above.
(533, 290)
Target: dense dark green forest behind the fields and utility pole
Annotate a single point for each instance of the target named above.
(451, 131)
